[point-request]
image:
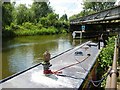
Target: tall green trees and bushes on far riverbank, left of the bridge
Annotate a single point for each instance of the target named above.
(39, 19)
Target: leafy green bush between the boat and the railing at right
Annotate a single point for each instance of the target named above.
(105, 59)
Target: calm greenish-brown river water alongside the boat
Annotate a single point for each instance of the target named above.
(21, 53)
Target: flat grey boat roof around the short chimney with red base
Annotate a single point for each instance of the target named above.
(71, 77)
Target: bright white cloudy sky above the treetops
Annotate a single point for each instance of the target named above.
(69, 7)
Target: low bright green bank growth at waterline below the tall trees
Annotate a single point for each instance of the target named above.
(29, 29)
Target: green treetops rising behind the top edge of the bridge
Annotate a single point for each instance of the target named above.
(93, 7)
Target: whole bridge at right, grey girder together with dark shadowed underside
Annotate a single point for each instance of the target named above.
(109, 18)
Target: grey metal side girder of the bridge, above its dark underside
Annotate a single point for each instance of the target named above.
(99, 17)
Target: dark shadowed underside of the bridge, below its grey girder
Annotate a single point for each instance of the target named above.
(95, 26)
